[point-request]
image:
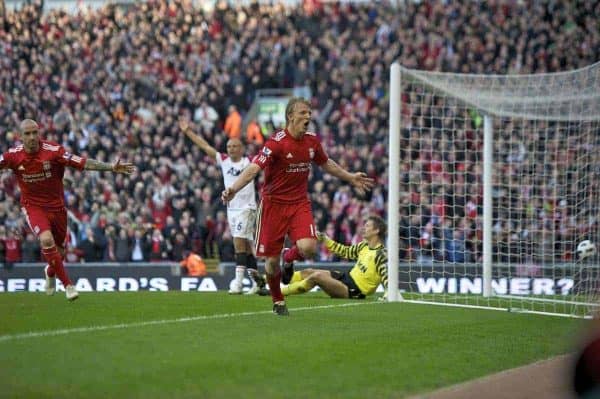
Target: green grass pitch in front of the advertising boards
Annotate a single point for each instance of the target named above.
(213, 345)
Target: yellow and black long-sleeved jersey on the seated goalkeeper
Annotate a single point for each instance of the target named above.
(370, 269)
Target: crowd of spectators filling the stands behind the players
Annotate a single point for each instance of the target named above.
(114, 81)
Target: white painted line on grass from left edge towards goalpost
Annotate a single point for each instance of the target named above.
(65, 331)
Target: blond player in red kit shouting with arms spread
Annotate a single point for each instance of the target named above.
(285, 208)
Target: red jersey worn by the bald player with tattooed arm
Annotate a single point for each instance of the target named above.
(40, 175)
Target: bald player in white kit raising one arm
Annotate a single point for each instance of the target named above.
(241, 212)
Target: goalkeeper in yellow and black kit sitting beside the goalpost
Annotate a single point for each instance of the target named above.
(369, 271)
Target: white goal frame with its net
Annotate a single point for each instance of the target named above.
(493, 182)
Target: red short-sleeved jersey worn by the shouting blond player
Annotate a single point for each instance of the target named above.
(287, 162)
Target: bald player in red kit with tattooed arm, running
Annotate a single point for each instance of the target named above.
(39, 166)
